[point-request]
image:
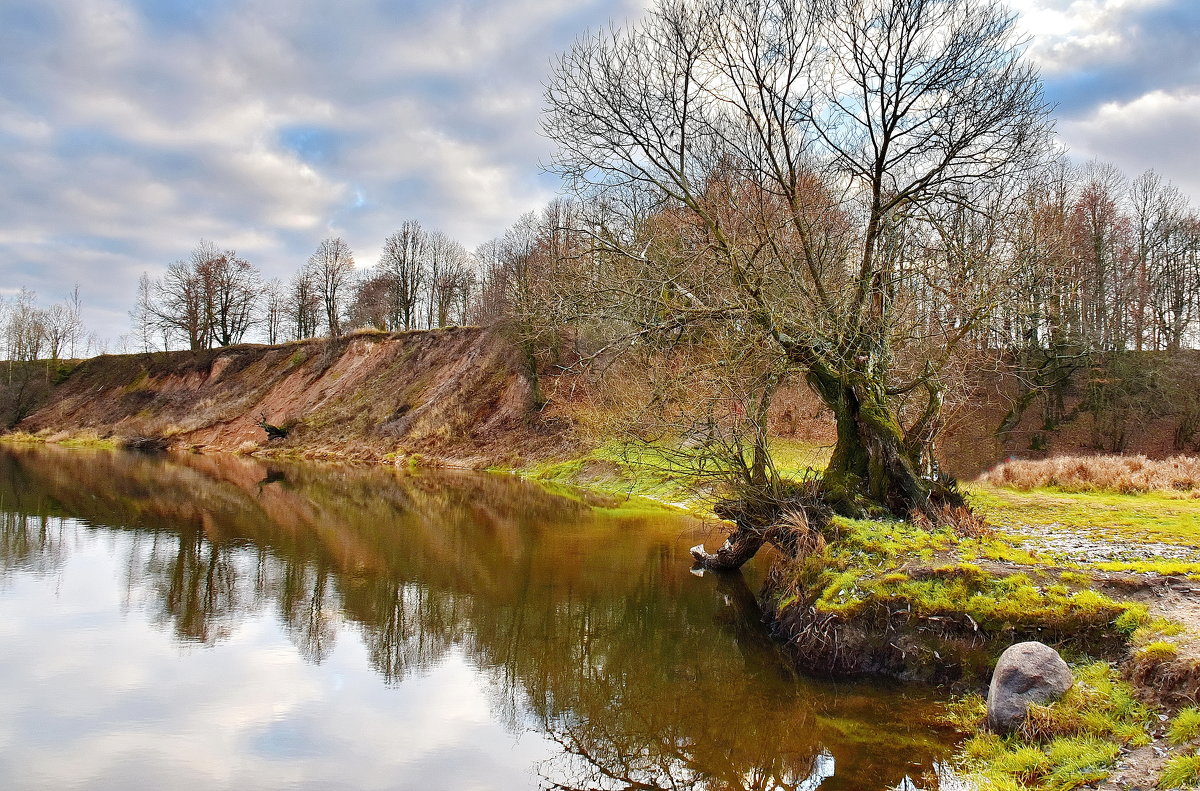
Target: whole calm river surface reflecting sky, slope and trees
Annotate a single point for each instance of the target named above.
(203, 622)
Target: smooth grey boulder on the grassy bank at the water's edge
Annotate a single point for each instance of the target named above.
(1028, 673)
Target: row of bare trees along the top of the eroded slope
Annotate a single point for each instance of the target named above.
(423, 280)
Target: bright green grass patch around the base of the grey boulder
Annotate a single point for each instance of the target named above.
(1063, 746)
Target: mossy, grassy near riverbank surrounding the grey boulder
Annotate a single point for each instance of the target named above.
(1114, 594)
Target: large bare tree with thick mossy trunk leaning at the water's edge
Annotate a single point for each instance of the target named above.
(801, 154)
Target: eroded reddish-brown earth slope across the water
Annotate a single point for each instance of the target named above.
(457, 397)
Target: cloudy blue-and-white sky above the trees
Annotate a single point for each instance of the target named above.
(133, 129)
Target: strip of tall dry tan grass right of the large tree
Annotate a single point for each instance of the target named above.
(1121, 475)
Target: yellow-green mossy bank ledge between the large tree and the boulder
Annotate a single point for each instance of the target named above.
(897, 598)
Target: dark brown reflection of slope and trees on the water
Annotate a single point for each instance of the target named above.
(581, 626)
